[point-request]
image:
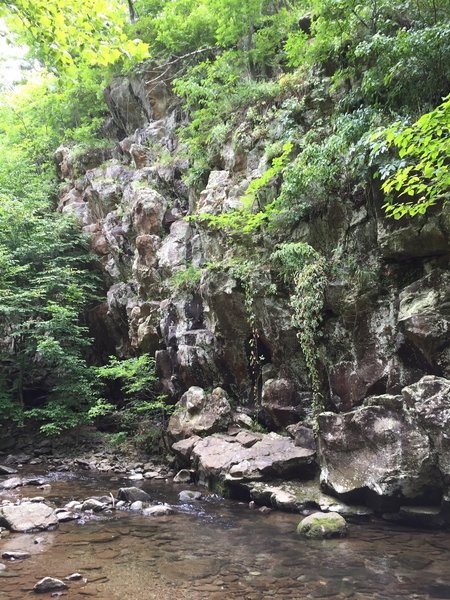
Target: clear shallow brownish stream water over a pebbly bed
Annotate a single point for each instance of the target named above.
(217, 549)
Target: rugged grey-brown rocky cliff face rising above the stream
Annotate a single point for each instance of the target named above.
(386, 319)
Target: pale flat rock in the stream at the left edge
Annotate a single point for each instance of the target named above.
(28, 516)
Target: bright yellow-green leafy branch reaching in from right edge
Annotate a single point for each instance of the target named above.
(422, 176)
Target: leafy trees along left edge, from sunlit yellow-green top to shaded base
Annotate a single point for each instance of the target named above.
(47, 279)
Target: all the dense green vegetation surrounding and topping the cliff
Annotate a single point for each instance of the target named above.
(337, 91)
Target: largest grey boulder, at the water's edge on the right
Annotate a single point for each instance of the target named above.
(393, 448)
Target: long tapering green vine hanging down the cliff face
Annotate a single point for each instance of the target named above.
(306, 268)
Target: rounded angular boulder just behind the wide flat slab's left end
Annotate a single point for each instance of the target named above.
(200, 413)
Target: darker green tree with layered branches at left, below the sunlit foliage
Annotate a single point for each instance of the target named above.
(45, 286)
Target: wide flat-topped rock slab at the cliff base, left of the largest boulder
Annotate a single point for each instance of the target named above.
(240, 459)
